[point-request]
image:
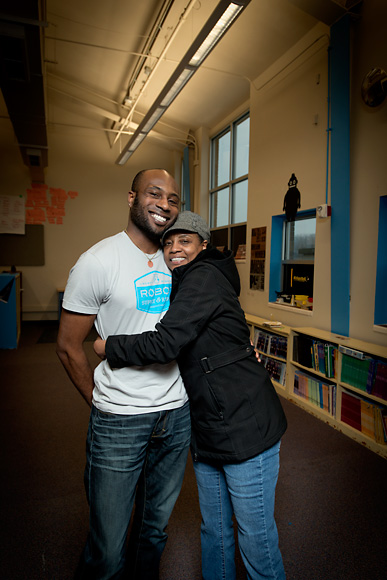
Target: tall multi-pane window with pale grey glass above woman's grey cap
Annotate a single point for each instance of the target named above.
(229, 184)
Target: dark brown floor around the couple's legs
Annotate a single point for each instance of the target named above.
(331, 495)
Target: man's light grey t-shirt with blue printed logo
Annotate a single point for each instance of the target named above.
(113, 280)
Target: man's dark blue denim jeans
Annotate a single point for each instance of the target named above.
(122, 451)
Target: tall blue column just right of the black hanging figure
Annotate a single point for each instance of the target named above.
(340, 172)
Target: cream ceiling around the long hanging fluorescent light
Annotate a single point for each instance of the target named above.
(90, 49)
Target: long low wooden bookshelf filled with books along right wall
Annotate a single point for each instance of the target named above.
(339, 380)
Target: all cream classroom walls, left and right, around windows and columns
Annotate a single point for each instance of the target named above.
(288, 112)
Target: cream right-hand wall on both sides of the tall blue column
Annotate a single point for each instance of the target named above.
(285, 139)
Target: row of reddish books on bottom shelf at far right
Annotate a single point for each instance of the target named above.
(364, 415)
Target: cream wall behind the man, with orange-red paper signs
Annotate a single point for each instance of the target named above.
(77, 161)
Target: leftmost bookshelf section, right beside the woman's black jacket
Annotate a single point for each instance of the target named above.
(272, 345)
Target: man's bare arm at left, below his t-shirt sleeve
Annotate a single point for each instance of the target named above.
(73, 330)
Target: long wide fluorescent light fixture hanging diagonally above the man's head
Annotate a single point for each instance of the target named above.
(219, 22)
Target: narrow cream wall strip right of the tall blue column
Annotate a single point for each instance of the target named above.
(368, 169)
